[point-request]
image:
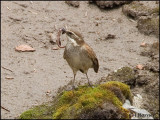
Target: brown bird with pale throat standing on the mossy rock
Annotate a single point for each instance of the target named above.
(78, 54)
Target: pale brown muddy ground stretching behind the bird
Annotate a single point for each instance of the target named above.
(35, 73)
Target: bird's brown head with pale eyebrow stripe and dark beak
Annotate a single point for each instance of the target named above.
(74, 37)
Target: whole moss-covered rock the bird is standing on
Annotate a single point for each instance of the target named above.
(102, 101)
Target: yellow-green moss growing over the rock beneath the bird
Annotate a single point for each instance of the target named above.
(72, 104)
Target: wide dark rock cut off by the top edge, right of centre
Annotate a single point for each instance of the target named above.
(110, 4)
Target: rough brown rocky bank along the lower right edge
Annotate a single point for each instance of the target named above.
(148, 79)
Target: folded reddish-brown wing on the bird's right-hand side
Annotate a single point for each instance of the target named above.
(90, 53)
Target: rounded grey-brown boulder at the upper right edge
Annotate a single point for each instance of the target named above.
(148, 25)
